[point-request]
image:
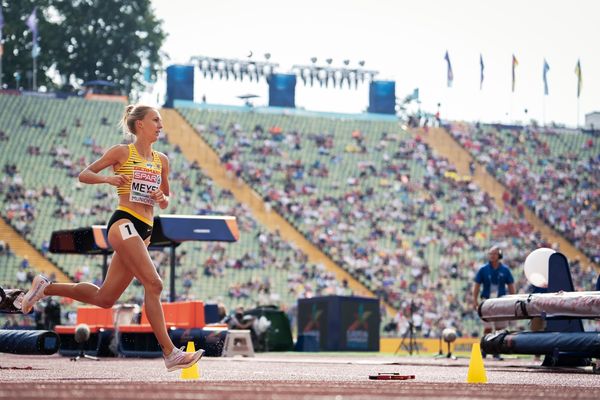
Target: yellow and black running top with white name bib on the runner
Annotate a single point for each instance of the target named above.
(145, 176)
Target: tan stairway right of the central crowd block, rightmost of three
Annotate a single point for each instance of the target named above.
(444, 144)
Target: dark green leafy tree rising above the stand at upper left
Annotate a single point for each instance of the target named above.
(82, 40)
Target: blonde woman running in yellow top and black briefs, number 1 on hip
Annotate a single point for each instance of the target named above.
(141, 179)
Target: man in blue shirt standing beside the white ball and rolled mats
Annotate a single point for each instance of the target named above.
(495, 278)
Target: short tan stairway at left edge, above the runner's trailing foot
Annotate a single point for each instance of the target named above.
(23, 249)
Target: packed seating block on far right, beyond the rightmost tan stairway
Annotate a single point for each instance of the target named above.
(555, 172)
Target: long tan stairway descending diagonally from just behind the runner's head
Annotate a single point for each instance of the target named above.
(193, 147)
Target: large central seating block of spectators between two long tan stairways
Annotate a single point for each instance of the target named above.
(373, 197)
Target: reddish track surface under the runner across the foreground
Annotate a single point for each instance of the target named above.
(286, 376)
